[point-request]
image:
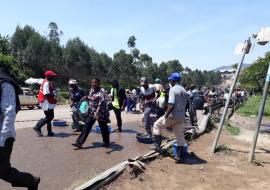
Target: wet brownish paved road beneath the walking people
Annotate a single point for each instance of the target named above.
(55, 160)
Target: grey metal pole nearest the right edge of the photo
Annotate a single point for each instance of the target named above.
(260, 115)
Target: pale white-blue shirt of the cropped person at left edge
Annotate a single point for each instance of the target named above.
(7, 113)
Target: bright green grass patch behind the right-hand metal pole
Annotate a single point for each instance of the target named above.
(251, 107)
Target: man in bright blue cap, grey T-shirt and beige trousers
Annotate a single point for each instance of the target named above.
(173, 117)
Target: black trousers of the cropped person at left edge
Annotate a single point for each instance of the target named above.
(12, 175)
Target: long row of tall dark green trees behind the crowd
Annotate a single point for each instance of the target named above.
(28, 54)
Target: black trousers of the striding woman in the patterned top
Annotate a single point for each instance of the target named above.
(88, 126)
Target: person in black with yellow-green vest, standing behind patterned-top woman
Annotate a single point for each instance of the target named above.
(119, 98)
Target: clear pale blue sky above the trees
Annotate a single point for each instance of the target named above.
(201, 34)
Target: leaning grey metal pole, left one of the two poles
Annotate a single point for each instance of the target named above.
(246, 50)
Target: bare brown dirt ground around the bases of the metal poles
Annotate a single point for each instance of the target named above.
(212, 171)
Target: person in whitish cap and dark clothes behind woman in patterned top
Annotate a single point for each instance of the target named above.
(76, 94)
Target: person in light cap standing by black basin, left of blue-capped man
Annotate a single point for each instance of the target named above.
(148, 103)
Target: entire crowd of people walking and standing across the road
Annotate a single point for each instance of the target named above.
(170, 101)
